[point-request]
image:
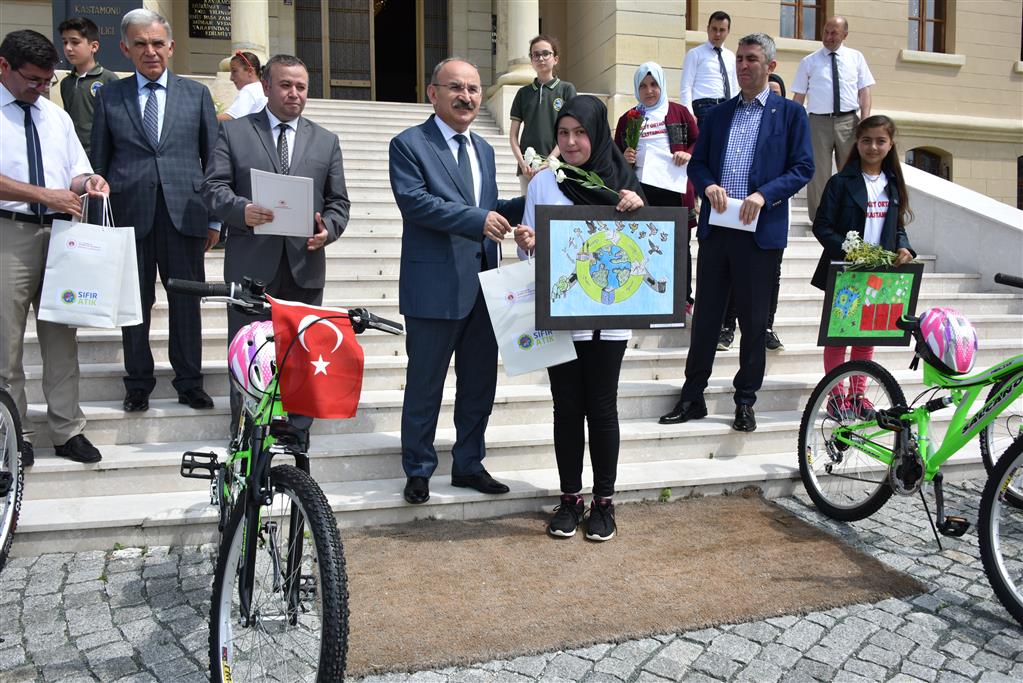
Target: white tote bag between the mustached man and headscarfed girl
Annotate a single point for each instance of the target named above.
(511, 296)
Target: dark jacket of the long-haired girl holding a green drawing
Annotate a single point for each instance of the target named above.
(843, 208)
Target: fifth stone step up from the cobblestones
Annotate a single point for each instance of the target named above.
(102, 346)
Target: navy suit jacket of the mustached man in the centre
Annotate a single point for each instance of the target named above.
(442, 234)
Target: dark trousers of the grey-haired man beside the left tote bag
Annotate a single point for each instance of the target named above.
(176, 256)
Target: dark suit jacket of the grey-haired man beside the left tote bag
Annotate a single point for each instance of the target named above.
(123, 154)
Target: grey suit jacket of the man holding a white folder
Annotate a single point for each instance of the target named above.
(249, 144)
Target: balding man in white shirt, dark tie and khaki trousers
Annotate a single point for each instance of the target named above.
(837, 82)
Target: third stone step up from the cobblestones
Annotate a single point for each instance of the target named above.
(380, 411)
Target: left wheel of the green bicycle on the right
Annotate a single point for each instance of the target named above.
(843, 480)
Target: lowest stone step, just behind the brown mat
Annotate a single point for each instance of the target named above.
(187, 518)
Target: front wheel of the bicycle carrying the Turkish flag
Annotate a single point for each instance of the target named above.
(297, 628)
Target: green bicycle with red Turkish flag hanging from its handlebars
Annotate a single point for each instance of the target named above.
(280, 608)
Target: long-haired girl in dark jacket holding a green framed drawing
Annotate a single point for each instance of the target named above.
(868, 196)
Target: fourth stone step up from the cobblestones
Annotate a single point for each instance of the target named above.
(103, 382)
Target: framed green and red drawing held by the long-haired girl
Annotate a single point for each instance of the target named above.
(862, 306)
